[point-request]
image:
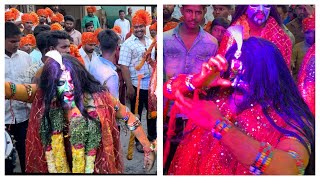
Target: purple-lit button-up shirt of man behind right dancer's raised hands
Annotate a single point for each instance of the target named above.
(179, 60)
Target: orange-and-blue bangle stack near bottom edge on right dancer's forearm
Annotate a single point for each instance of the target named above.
(263, 159)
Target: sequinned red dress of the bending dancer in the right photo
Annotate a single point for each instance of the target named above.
(201, 154)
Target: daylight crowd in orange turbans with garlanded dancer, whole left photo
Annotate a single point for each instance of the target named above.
(70, 93)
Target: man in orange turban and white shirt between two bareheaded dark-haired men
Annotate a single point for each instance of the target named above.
(89, 42)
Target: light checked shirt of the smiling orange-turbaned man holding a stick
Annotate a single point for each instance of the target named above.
(131, 52)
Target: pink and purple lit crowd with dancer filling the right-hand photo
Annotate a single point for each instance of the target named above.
(239, 90)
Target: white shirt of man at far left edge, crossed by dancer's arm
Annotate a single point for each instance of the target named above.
(15, 67)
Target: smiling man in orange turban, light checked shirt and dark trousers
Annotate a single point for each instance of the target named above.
(131, 53)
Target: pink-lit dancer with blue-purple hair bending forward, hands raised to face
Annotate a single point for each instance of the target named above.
(254, 121)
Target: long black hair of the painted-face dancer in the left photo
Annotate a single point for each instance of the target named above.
(83, 82)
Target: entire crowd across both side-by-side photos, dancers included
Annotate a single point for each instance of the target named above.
(239, 90)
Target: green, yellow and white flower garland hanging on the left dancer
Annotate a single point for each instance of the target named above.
(85, 137)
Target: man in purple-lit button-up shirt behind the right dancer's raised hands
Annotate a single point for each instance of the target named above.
(185, 49)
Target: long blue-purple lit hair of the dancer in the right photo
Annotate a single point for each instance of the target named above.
(271, 84)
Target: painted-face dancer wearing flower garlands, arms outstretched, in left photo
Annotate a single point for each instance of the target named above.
(72, 127)
